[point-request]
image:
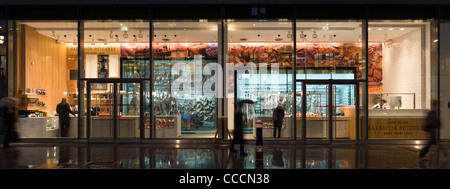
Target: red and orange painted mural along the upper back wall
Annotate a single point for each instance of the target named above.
(308, 55)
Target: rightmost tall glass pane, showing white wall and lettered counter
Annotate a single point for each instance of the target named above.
(401, 56)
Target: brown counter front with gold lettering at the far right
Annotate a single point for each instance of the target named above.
(396, 124)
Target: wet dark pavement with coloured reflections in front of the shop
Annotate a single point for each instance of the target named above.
(110, 156)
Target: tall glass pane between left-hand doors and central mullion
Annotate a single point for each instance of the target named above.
(186, 75)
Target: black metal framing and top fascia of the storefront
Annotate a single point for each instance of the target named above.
(149, 12)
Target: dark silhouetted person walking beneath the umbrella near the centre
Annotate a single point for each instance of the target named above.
(238, 135)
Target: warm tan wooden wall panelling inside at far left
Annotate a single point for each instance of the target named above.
(44, 64)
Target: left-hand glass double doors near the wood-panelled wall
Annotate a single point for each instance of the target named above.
(114, 111)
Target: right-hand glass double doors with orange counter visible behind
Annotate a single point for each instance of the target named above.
(329, 111)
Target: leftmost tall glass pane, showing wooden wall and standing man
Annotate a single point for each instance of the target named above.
(47, 68)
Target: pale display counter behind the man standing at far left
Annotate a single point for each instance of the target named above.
(44, 127)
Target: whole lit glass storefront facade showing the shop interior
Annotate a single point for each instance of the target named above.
(172, 77)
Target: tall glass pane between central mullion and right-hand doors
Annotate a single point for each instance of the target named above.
(260, 52)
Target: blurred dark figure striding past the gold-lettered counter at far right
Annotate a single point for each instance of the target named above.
(432, 124)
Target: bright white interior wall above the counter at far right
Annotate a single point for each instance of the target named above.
(404, 68)
